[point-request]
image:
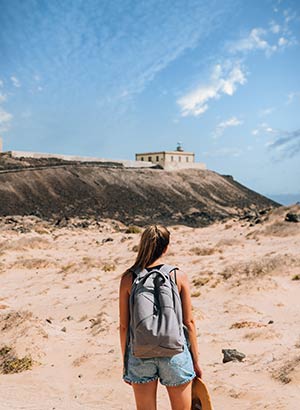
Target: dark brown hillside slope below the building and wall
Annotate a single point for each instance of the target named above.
(139, 196)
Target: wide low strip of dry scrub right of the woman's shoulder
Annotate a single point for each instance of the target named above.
(259, 268)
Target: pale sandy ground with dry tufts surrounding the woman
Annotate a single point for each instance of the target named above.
(237, 274)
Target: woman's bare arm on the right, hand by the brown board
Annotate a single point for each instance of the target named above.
(188, 319)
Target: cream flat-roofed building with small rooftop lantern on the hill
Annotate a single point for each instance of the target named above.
(178, 159)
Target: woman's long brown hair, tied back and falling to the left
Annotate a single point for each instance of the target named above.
(153, 243)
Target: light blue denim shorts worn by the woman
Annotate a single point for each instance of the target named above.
(171, 371)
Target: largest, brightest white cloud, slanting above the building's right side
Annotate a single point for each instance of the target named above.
(223, 80)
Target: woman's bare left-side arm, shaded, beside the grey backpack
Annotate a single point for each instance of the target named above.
(124, 293)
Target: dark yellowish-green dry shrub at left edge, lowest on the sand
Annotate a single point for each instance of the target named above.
(10, 363)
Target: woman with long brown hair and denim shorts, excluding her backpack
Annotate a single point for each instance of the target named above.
(175, 372)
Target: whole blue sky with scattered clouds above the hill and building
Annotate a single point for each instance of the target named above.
(112, 78)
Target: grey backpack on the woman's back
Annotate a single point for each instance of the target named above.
(156, 328)
